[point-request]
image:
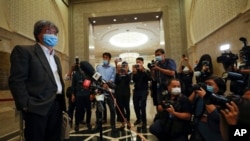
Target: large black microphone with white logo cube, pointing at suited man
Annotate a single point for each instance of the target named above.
(90, 71)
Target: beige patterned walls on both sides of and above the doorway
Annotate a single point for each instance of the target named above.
(209, 24)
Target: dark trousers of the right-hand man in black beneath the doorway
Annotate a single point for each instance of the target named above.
(139, 100)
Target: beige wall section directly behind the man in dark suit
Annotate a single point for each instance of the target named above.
(16, 27)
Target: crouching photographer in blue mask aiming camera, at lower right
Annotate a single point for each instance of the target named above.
(206, 121)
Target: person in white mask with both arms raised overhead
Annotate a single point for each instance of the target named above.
(185, 74)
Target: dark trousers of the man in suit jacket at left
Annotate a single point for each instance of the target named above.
(44, 128)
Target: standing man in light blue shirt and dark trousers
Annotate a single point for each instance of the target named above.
(108, 73)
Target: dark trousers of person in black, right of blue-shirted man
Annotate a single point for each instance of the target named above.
(124, 109)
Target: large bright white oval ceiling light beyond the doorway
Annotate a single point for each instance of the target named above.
(128, 39)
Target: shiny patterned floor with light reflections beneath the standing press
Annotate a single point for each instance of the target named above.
(136, 133)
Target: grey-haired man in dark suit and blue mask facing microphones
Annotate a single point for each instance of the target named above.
(37, 85)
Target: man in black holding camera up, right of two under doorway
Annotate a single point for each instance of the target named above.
(140, 77)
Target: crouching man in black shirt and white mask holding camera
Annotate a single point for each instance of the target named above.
(173, 123)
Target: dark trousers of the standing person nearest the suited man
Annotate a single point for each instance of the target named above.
(82, 103)
